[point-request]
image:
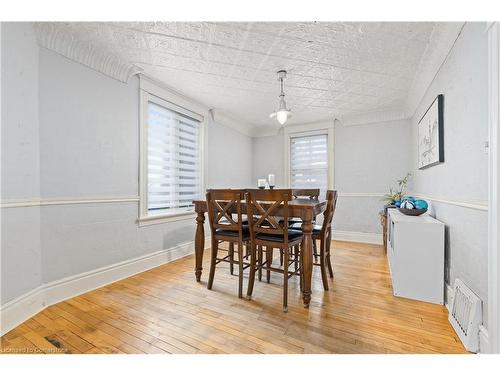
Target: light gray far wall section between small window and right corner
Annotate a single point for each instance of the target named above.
(368, 161)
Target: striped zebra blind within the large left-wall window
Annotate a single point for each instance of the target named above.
(174, 168)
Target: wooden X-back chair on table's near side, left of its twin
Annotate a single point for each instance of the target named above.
(225, 227)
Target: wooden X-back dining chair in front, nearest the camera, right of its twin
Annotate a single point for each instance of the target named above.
(265, 208)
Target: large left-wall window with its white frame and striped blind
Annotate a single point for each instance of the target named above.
(171, 165)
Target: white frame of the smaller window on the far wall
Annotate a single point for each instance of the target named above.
(321, 128)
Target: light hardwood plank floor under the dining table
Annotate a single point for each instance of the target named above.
(165, 311)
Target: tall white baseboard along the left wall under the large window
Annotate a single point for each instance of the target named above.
(15, 312)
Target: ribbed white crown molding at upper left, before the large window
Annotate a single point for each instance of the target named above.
(56, 38)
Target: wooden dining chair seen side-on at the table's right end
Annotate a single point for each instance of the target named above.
(323, 233)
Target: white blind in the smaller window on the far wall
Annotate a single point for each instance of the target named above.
(309, 162)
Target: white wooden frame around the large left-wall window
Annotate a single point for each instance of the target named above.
(150, 91)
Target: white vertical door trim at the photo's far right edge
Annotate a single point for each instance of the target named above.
(493, 30)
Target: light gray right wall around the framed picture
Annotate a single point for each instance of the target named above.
(464, 174)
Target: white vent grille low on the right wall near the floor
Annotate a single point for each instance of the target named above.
(466, 315)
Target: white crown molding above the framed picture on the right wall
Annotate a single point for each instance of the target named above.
(442, 40)
